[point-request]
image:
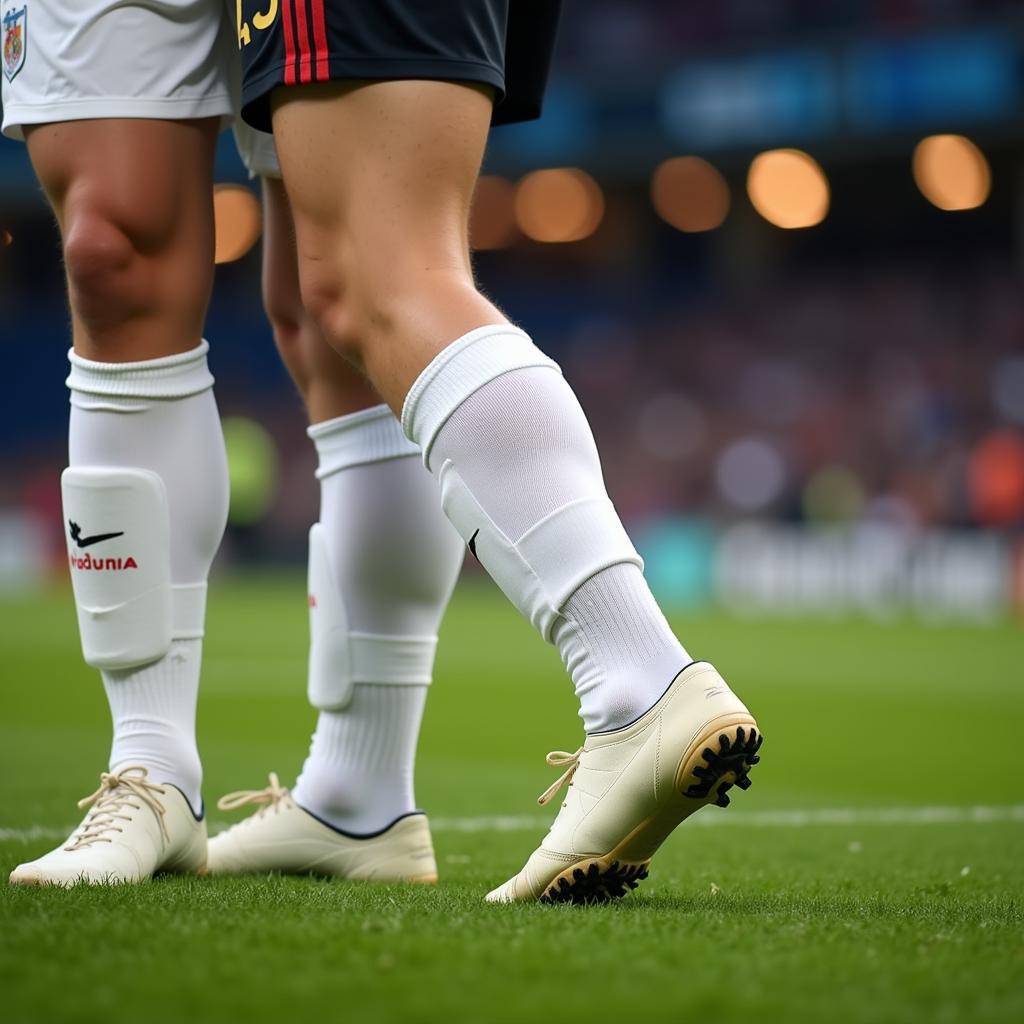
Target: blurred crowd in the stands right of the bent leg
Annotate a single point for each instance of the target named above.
(894, 396)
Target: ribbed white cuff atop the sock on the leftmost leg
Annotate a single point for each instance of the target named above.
(170, 377)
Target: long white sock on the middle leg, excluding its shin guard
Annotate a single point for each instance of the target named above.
(395, 560)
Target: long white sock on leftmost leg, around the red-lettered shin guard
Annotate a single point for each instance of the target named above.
(159, 415)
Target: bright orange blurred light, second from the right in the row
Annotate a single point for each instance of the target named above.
(789, 189)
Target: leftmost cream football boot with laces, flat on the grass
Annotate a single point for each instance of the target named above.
(135, 829)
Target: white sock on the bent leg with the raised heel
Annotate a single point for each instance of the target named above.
(522, 482)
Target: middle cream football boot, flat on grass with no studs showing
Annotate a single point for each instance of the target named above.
(282, 837)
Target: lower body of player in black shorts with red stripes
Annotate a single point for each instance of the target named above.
(380, 113)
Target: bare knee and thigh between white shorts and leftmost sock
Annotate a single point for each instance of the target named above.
(134, 201)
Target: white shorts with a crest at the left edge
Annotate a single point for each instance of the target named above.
(75, 60)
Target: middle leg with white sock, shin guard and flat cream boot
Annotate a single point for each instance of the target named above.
(383, 563)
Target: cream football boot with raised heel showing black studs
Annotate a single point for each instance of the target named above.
(629, 789)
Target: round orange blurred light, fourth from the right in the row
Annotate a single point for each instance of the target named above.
(562, 204)
